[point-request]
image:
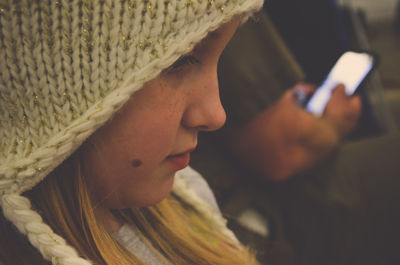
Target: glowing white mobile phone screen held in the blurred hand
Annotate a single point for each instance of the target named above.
(351, 69)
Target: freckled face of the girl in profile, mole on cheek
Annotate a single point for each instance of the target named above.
(131, 161)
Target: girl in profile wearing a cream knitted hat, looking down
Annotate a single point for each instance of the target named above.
(101, 103)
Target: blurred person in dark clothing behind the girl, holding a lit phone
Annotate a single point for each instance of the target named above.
(336, 205)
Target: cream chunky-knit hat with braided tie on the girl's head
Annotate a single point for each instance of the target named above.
(66, 67)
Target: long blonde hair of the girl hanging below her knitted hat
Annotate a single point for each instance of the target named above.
(173, 227)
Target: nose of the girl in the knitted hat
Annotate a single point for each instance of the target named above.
(205, 113)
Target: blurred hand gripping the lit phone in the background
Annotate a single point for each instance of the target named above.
(285, 139)
